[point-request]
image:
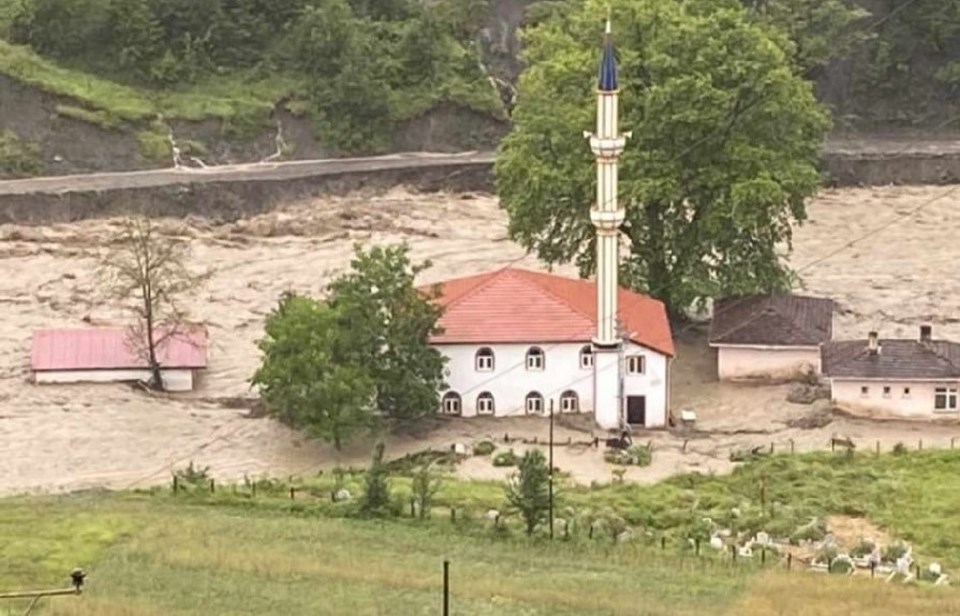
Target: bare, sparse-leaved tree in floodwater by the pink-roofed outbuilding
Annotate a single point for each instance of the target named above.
(148, 272)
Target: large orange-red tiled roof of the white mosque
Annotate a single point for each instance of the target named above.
(517, 305)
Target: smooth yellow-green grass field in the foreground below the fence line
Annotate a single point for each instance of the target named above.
(147, 556)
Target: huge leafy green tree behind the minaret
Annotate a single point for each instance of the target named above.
(724, 153)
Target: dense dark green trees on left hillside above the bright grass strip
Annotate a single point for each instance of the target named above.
(364, 65)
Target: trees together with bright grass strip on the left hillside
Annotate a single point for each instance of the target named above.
(357, 68)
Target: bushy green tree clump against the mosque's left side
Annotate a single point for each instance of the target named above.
(337, 367)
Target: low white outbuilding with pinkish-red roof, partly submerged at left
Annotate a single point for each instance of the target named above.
(104, 355)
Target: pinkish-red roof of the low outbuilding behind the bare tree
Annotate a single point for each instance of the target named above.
(108, 349)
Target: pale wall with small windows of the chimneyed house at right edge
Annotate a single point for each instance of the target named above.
(917, 403)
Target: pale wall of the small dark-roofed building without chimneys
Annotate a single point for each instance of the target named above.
(774, 362)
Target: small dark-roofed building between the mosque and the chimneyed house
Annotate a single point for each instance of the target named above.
(770, 336)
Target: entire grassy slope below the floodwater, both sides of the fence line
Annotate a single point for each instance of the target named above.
(153, 555)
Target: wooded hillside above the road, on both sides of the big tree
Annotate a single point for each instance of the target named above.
(102, 84)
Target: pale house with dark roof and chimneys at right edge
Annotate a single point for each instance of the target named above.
(908, 377)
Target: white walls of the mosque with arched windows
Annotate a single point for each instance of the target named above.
(510, 381)
